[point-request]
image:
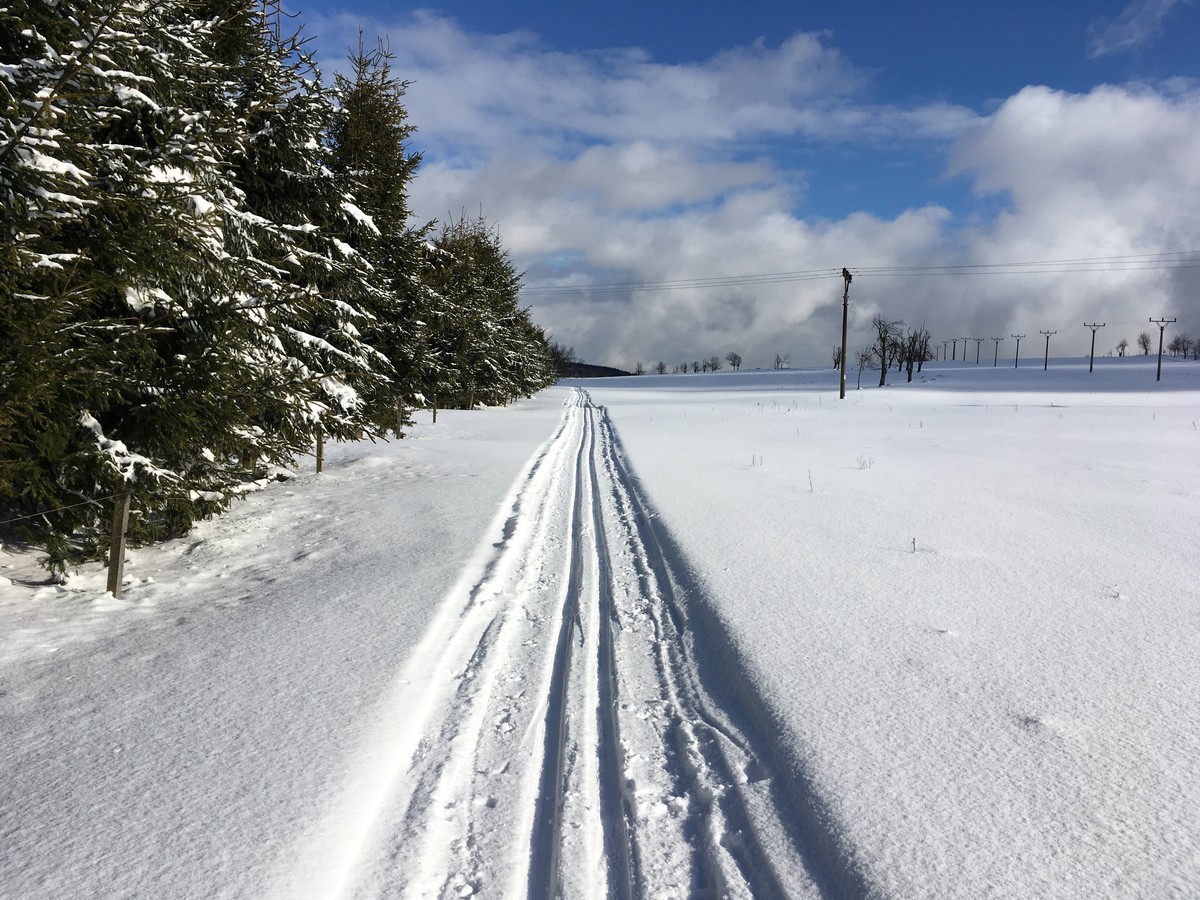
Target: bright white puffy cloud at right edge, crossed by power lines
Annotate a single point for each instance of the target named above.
(1102, 175)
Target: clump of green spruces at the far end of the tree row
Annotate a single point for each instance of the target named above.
(487, 345)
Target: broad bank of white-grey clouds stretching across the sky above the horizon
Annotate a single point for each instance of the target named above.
(608, 169)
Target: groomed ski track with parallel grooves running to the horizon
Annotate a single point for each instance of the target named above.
(551, 735)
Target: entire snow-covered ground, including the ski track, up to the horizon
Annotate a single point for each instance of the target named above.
(662, 637)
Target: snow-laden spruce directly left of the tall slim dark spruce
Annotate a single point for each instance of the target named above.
(316, 291)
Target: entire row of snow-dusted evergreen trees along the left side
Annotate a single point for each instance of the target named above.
(208, 260)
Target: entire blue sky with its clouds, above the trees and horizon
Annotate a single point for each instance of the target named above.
(663, 143)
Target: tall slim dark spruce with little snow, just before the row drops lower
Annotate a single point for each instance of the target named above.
(370, 154)
